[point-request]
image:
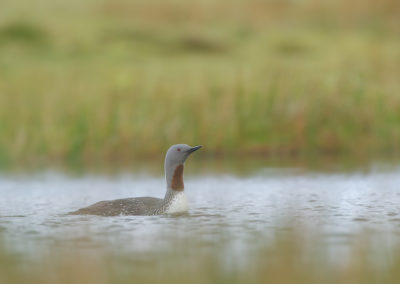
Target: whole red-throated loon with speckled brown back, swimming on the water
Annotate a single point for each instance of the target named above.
(173, 202)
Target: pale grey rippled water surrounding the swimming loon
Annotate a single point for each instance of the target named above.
(234, 214)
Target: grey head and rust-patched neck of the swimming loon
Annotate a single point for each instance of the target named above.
(174, 161)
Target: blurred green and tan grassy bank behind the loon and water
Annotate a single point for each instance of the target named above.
(88, 82)
